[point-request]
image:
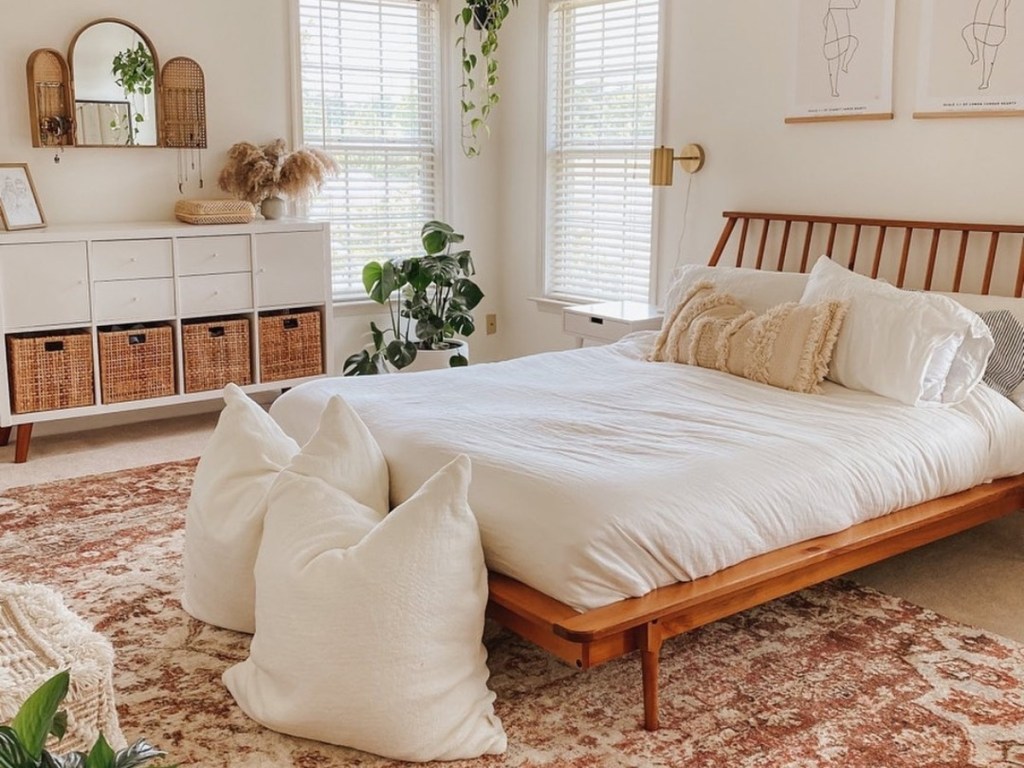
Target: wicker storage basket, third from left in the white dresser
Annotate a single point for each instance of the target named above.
(217, 353)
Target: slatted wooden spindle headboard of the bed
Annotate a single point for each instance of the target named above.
(891, 244)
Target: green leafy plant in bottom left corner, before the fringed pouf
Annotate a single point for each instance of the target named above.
(23, 742)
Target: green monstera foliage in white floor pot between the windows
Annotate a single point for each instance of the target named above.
(430, 298)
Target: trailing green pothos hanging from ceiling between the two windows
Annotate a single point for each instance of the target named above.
(479, 93)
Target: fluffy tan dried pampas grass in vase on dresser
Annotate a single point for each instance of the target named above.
(258, 173)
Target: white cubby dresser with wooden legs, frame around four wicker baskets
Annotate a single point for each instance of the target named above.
(95, 279)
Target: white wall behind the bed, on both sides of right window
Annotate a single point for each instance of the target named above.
(728, 72)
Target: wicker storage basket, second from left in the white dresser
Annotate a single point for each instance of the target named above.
(137, 364)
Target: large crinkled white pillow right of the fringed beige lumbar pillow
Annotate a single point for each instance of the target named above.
(922, 350)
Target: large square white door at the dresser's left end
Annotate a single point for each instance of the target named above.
(45, 284)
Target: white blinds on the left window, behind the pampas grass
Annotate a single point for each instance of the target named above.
(369, 78)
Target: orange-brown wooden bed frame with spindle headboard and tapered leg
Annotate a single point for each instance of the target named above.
(646, 623)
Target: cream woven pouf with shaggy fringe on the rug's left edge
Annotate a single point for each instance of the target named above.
(40, 636)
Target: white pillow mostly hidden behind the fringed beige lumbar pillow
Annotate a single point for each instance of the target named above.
(757, 290)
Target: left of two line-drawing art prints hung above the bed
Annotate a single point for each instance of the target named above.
(843, 61)
